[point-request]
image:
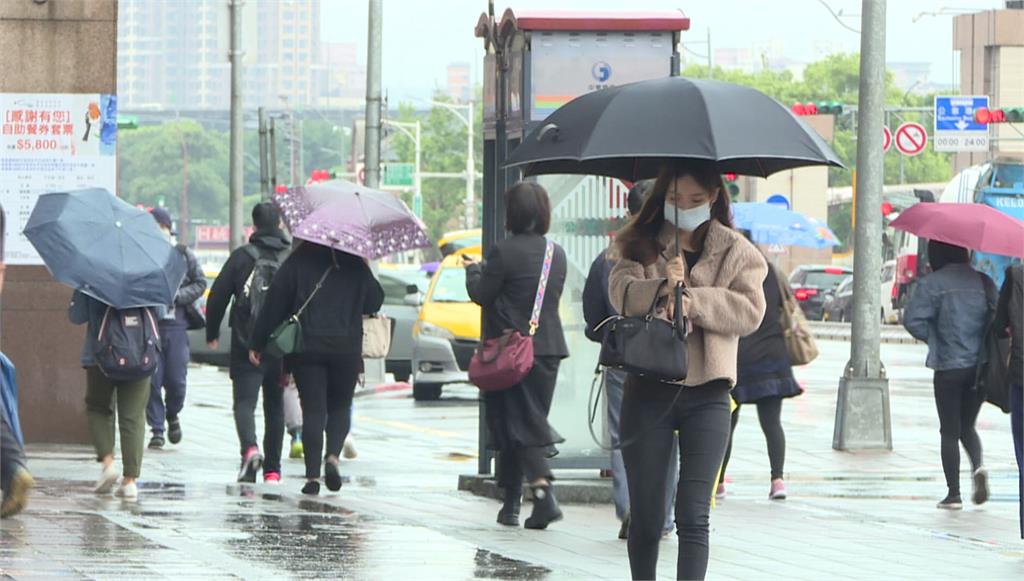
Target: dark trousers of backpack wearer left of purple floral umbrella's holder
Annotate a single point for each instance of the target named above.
(246, 383)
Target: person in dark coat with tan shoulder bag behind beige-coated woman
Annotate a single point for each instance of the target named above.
(764, 378)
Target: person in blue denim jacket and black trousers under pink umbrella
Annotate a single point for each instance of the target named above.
(950, 310)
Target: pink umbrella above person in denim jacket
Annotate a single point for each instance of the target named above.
(972, 226)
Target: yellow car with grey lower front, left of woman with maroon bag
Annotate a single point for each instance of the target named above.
(447, 333)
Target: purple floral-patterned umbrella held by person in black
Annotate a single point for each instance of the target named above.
(351, 218)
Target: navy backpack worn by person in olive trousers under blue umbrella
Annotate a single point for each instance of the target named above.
(129, 344)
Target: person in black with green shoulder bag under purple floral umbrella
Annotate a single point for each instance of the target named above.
(338, 290)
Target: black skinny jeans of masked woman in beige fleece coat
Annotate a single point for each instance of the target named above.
(702, 418)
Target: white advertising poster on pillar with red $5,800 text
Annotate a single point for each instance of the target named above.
(52, 143)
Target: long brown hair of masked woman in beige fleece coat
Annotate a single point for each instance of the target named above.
(638, 240)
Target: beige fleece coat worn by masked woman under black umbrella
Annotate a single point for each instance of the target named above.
(728, 299)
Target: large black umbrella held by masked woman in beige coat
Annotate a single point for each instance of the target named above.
(631, 131)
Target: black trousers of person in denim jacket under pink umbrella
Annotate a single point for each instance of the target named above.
(959, 404)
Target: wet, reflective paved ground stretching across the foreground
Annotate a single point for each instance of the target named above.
(850, 516)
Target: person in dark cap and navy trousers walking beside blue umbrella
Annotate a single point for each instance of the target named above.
(172, 375)
